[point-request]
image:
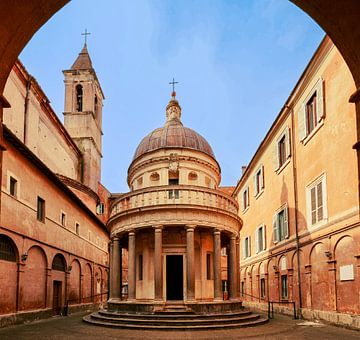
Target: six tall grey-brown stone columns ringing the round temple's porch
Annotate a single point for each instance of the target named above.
(116, 262)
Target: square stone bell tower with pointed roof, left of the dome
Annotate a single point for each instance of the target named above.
(83, 116)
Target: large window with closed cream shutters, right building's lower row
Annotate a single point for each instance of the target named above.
(316, 201)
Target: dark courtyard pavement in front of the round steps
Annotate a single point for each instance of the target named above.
(72, 327)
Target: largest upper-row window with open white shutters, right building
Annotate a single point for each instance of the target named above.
(312, 112)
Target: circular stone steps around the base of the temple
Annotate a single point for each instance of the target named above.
(175, 318)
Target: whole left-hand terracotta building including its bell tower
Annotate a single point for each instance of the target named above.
(53, 238)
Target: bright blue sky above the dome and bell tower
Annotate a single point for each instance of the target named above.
(236, 63)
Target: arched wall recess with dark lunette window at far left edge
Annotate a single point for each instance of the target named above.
(8, 279)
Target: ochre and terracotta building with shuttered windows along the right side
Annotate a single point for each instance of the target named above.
(299, 201)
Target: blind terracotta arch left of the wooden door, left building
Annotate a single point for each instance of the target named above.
(34, 279)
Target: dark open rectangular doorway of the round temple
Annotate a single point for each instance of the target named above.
(174, 277)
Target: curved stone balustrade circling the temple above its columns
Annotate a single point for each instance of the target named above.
(174, 195)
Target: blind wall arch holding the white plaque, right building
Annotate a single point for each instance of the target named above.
(346, 280)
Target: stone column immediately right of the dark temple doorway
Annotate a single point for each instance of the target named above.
(190, 267)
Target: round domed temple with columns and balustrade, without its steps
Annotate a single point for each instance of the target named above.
(173, 222)
